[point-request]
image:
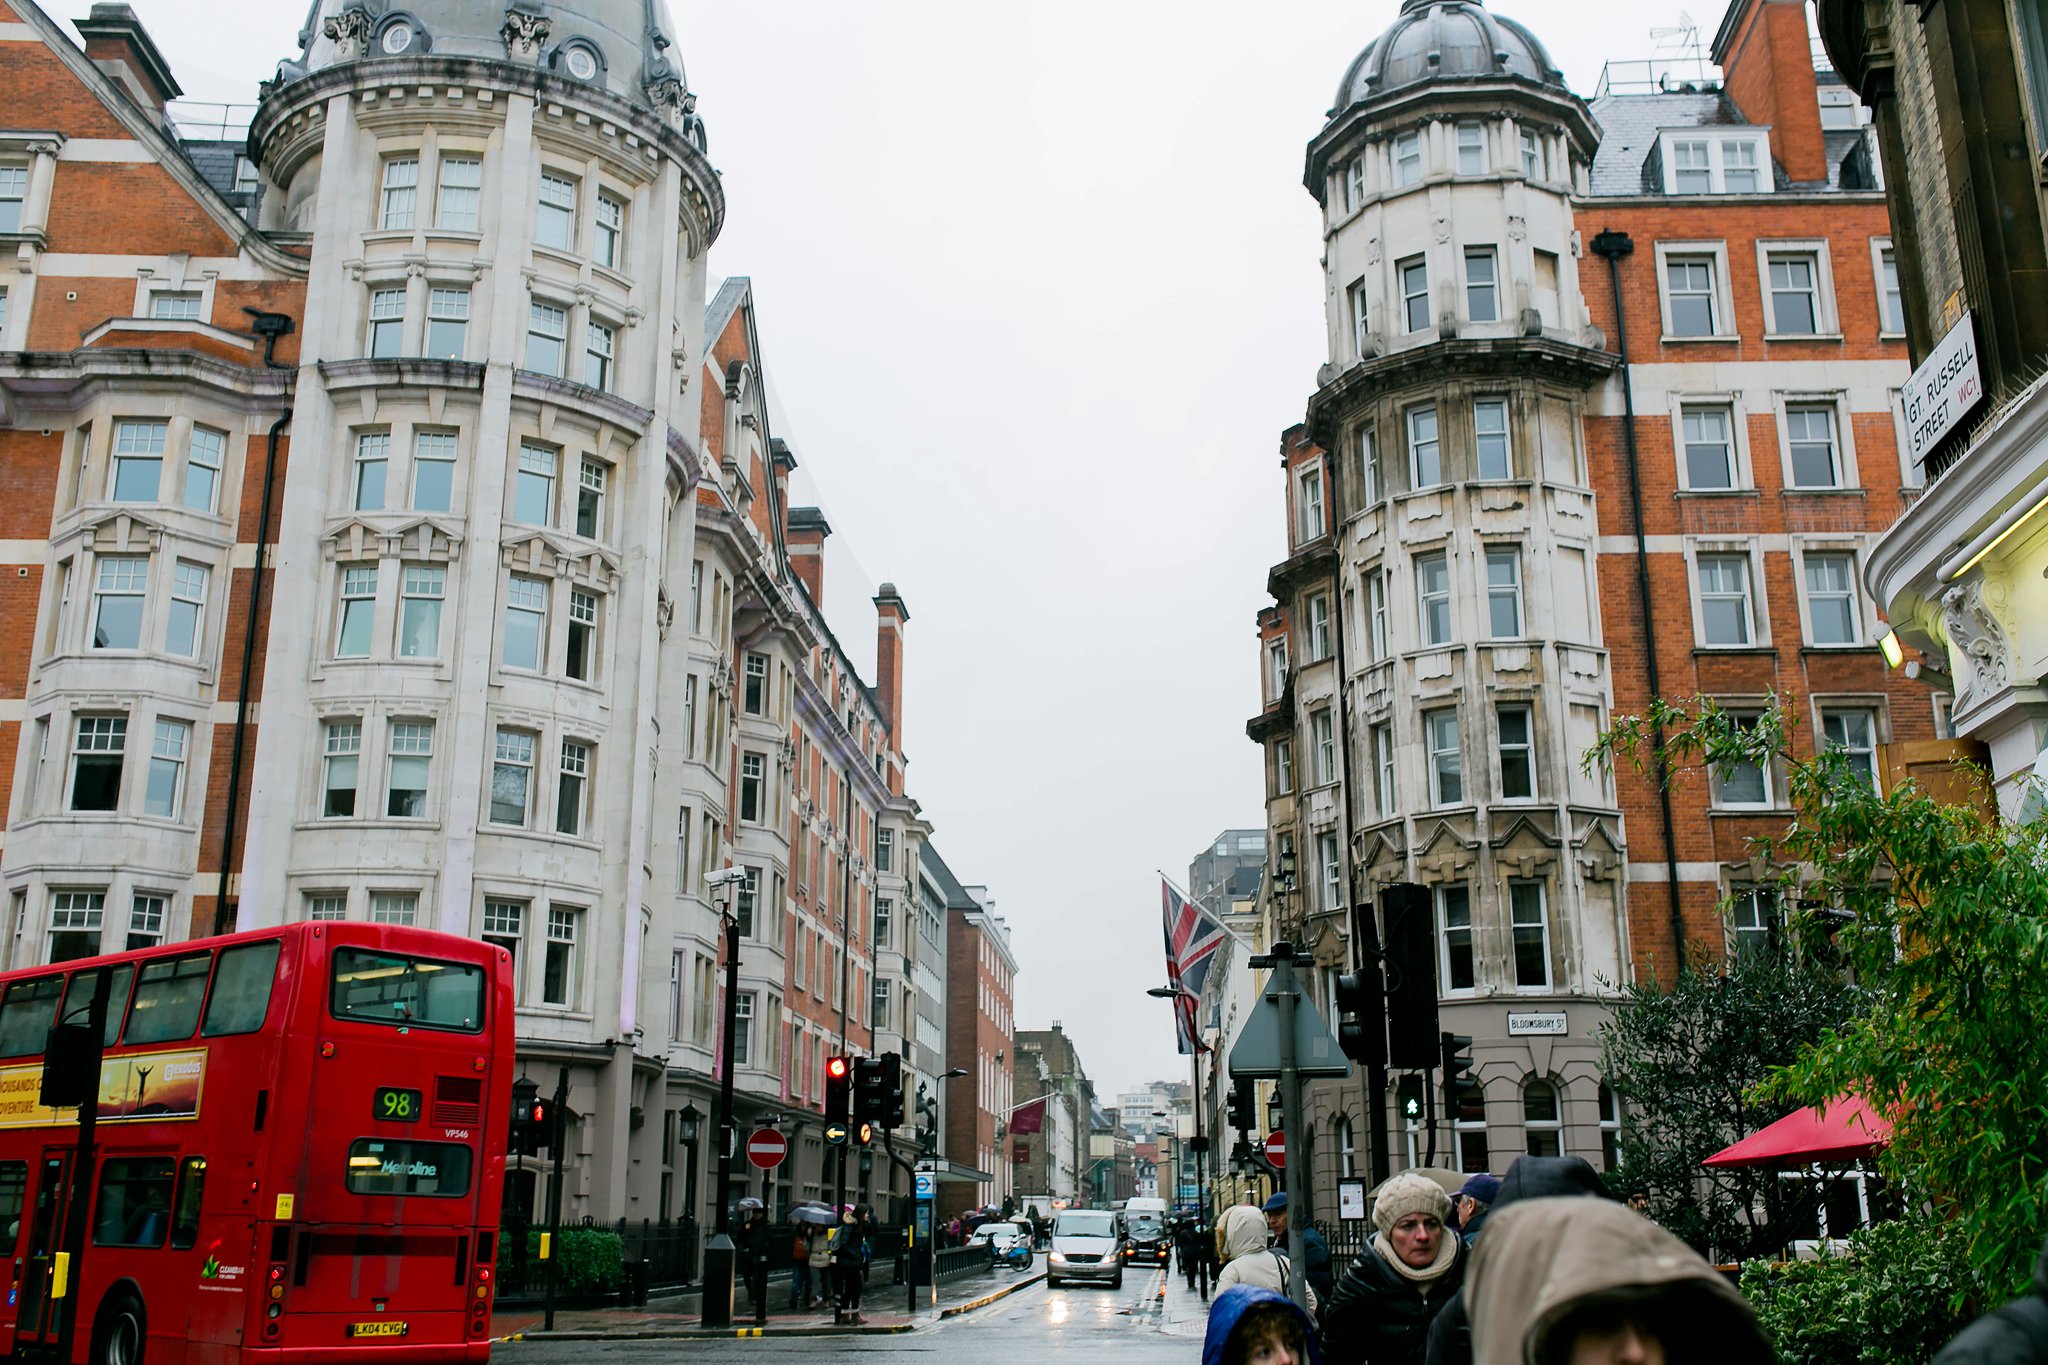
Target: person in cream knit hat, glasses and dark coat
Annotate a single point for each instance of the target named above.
(1381, 1311)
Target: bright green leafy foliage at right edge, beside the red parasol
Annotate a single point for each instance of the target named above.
(1940, 918)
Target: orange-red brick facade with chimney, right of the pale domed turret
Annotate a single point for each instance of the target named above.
(1766, 345)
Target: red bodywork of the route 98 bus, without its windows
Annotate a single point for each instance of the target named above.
(271, 1118)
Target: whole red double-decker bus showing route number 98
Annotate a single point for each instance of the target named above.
(298, 1153)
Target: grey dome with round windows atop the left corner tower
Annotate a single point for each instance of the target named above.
(622, 46)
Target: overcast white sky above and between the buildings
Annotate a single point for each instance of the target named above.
(1039, 294)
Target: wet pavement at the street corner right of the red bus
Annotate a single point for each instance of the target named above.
(679, 1317)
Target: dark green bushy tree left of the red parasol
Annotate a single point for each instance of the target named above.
(1691, 1059)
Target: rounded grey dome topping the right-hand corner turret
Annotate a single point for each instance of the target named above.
(1447, 40)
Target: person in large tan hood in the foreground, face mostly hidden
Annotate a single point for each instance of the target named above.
(1588, 1282)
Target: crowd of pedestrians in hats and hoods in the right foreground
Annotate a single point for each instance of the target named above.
(1537, 1268)
